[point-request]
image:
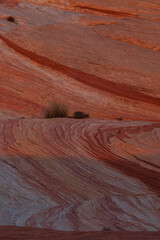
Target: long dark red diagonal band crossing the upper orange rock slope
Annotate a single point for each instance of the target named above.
(118, 89)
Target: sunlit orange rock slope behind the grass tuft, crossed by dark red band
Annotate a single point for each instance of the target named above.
(99, 56)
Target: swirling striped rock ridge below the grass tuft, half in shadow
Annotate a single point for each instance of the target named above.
(80, 175)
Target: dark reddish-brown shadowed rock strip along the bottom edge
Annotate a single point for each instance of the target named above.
(36, 233)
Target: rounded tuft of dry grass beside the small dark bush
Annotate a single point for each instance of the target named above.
(56, 110)
